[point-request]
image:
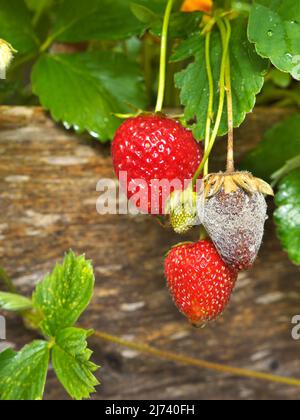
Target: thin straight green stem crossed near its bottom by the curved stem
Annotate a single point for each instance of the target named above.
(211, 97)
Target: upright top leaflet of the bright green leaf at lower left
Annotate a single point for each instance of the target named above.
(64, 294)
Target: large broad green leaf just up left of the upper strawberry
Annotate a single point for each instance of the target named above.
(83, 90)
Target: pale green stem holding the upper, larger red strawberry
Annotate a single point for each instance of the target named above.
(163, 57)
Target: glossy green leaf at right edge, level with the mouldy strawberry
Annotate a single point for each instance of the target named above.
(287, 216)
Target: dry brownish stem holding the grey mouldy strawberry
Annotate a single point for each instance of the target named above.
(230, 153)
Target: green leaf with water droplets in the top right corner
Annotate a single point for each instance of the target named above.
(274, 27)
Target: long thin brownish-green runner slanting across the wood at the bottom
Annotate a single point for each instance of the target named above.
(189, 361)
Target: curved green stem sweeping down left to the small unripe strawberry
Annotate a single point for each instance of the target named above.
(225, 42)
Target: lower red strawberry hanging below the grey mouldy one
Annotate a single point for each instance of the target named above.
(200, 282)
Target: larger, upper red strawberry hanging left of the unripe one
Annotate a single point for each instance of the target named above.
(150, 149)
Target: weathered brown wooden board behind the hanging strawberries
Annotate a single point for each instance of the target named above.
(47, 205)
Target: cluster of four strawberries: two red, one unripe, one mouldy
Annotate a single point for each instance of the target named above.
(201, 276)
